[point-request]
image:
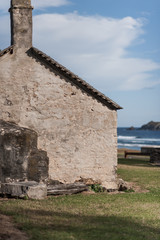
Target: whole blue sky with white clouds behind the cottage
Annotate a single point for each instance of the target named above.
(112, 44)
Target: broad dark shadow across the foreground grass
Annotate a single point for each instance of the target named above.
(51, 225)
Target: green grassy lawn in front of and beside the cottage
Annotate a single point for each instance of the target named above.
(99, 216)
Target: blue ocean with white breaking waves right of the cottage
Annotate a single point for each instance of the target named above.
(135, 139)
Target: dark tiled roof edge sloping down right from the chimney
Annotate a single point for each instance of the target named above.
(75, 79)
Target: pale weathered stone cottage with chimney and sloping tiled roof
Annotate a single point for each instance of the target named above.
(76, 124)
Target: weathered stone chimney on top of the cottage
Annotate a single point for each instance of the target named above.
(21, 23)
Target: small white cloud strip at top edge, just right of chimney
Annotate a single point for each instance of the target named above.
(41, 4)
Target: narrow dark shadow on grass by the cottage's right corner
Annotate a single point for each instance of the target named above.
(135, 162)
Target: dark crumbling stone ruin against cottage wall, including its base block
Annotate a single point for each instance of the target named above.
(23, 167)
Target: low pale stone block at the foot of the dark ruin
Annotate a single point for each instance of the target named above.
(30, 189)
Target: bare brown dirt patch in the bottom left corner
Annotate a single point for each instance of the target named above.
(8, 231)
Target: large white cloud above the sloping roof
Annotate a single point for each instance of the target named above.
(96, 48)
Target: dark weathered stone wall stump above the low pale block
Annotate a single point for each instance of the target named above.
(19, 157)
